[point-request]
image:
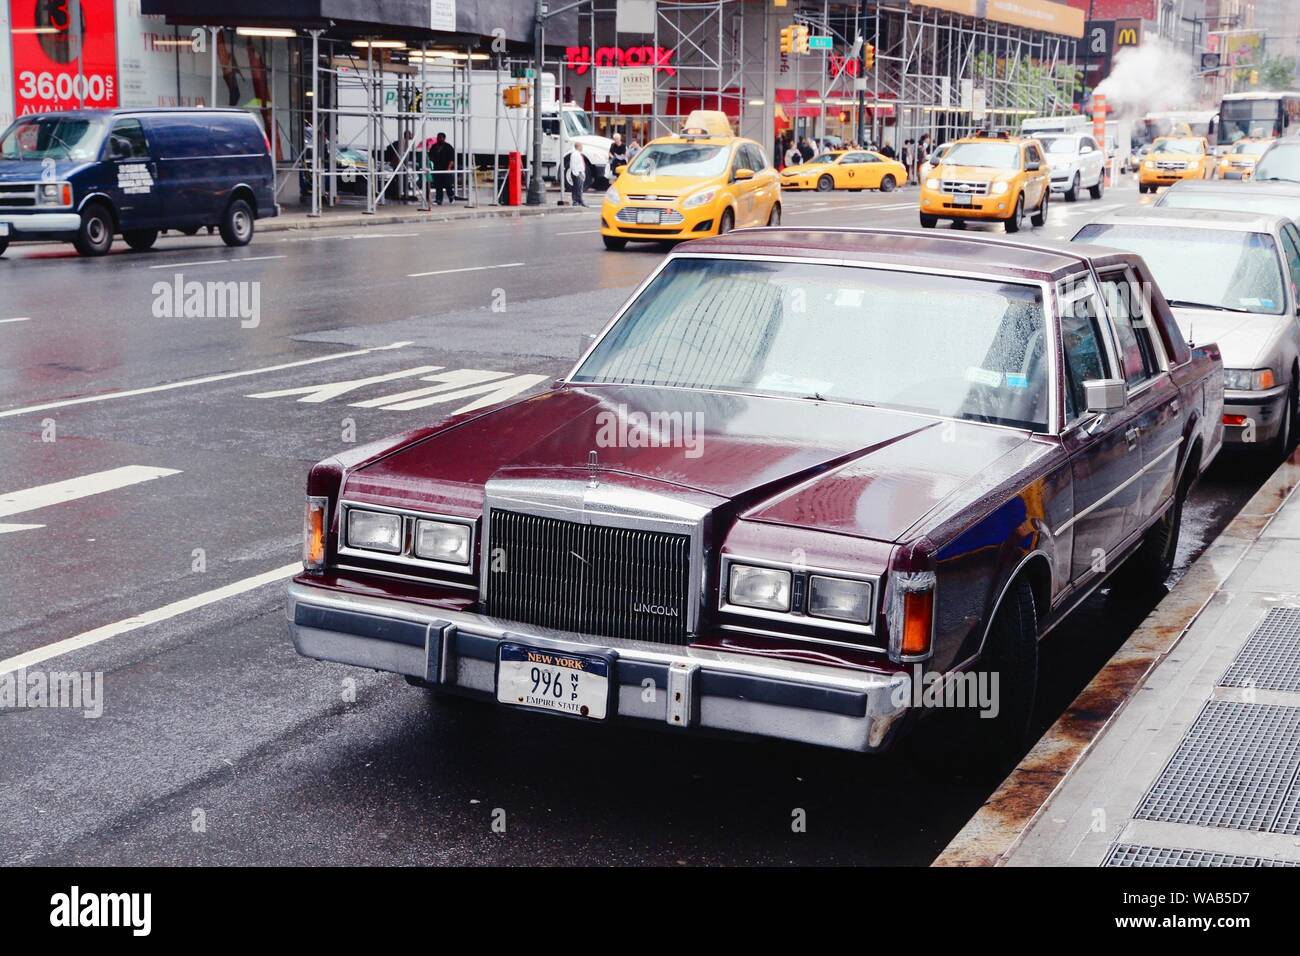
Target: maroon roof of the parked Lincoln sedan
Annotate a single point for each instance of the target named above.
(909, 248)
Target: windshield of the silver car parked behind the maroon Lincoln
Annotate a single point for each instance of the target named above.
(1215, 269)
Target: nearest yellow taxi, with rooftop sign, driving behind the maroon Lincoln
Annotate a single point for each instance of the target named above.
(704, 181)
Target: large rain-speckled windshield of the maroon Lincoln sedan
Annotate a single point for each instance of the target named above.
(942, 345)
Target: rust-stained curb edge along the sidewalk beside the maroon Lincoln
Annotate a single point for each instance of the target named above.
(995, 832)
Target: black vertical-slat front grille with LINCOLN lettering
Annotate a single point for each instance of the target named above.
(588, 578)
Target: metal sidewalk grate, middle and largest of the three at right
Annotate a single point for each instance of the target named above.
(1237, 768)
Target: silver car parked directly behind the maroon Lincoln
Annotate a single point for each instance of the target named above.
(1232, 279)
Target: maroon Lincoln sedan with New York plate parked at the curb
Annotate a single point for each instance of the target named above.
(799, 478)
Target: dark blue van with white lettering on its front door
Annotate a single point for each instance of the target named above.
(88, 175)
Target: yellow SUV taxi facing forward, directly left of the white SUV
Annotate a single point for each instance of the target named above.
(989, 179)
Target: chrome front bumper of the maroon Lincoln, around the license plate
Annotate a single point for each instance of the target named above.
(684, 689)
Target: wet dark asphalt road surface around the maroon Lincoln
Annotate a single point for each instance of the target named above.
(218, 745)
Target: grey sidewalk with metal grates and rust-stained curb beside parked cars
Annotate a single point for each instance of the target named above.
(1185, 750)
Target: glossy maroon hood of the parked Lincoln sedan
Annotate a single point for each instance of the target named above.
(851, 470)
